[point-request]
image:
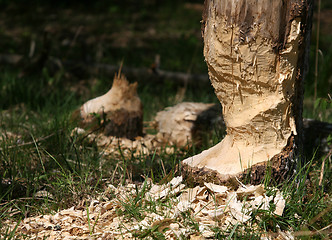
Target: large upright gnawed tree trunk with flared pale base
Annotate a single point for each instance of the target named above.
(255, 52)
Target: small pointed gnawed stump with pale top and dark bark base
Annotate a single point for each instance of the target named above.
(118, 113)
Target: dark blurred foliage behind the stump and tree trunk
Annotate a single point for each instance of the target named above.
(75, 34)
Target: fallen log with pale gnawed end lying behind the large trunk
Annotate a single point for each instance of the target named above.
(190, 123)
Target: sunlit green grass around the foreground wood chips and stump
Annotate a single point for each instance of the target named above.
(46, 157)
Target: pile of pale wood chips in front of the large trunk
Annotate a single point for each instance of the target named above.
(172, 209)
